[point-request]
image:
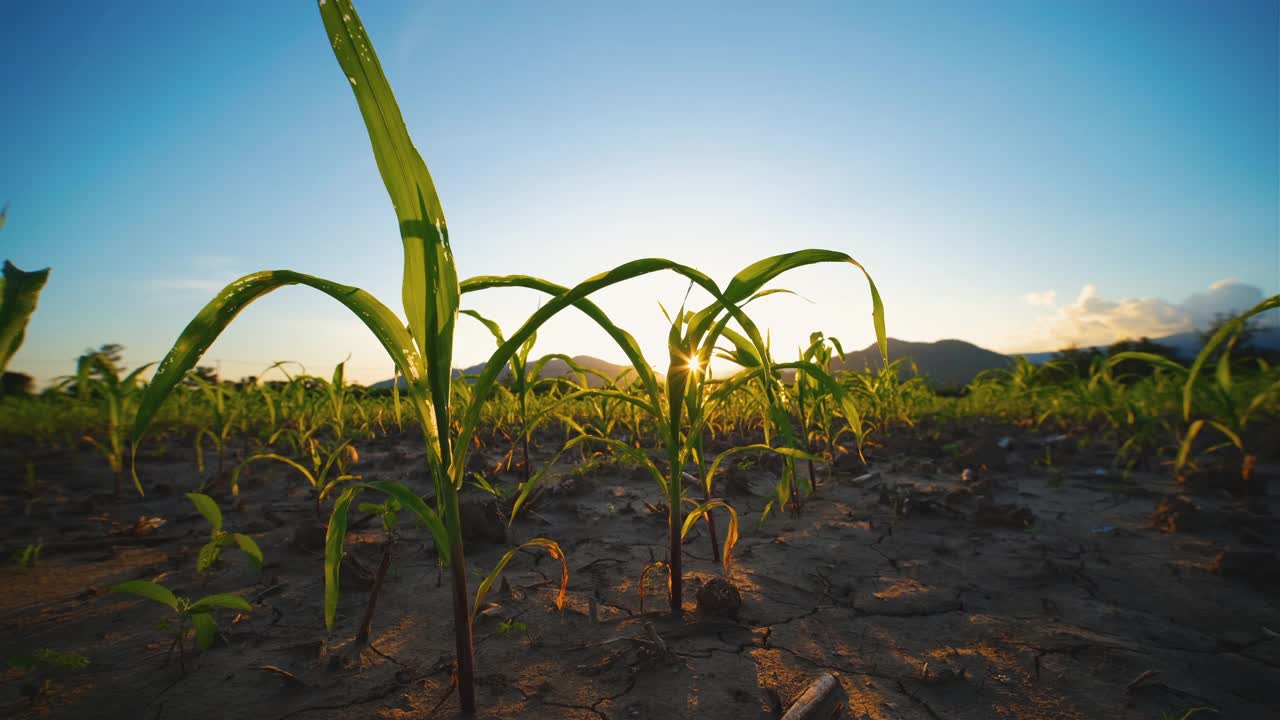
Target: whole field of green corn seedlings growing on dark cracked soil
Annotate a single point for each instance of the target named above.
(789, 540)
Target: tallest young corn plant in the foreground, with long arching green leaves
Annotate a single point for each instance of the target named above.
(420, 349)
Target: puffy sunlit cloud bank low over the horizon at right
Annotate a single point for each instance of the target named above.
(1092, 320)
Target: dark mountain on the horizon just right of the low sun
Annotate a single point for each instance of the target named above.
(948, 363)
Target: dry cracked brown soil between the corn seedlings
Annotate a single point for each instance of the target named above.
(927, 595)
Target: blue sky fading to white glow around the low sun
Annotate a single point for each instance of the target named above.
(1020, 175)
